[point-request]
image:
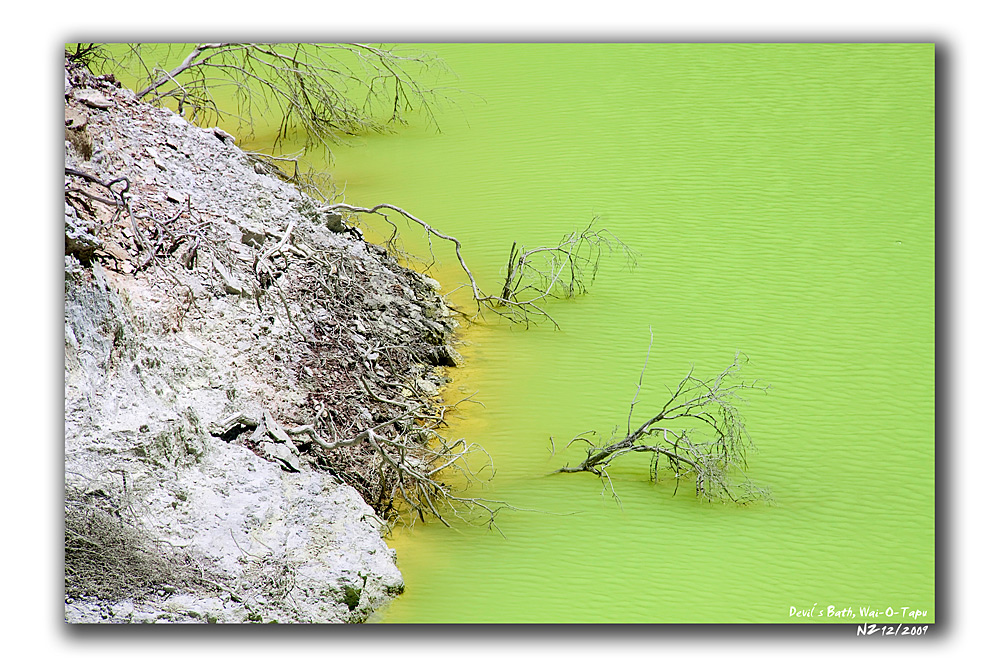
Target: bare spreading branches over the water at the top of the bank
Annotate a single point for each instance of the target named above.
(325, 91)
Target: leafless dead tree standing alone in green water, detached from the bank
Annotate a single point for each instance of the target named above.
(698, 433)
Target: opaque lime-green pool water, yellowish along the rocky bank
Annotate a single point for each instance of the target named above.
(781, 197)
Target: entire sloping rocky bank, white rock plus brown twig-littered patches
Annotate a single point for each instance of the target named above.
(210, 308)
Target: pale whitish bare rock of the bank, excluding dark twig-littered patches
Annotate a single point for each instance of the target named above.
(144, 384)
